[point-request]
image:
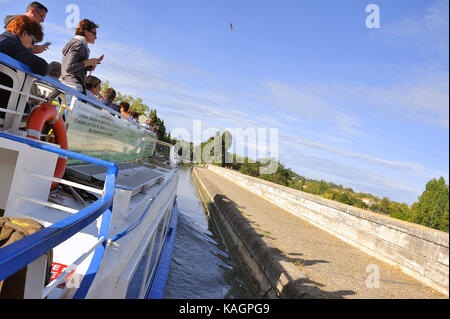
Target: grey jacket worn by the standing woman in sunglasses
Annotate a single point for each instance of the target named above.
(72, 66)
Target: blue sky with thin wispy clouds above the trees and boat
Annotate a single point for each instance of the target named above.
(365, 108)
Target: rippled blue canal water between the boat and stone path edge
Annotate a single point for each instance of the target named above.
(201, 266)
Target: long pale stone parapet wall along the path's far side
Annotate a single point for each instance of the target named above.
(418, 251)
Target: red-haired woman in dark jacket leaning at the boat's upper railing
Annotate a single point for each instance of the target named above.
(20, 35)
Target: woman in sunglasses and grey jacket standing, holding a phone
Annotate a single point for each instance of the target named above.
(76, 62)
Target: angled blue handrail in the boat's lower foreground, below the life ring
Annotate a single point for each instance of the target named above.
(21, 253)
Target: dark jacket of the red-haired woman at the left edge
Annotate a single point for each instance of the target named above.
(11, 45)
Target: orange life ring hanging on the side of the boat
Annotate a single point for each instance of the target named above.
(48, 113)
